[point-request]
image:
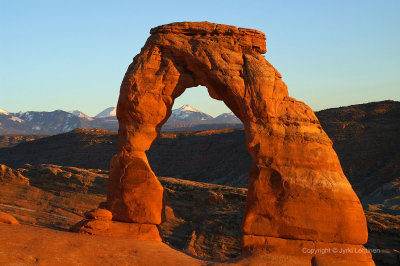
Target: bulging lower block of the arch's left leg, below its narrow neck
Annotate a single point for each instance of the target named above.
(134, 194)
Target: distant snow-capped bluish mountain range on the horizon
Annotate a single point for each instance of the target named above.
(59, 121)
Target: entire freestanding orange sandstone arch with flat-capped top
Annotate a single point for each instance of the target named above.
(297, 190)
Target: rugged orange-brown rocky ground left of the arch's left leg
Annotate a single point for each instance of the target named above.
(54, 201)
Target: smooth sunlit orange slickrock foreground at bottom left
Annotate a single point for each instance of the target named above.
(29, 245)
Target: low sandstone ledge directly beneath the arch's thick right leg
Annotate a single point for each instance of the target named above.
(307, 252)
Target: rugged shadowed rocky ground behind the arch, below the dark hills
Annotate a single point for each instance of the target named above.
(202, 219)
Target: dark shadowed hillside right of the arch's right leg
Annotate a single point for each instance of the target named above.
(366, 139)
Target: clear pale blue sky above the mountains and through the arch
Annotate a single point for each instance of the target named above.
(74, 54)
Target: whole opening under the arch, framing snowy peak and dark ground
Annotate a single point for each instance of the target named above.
(217, 156)
